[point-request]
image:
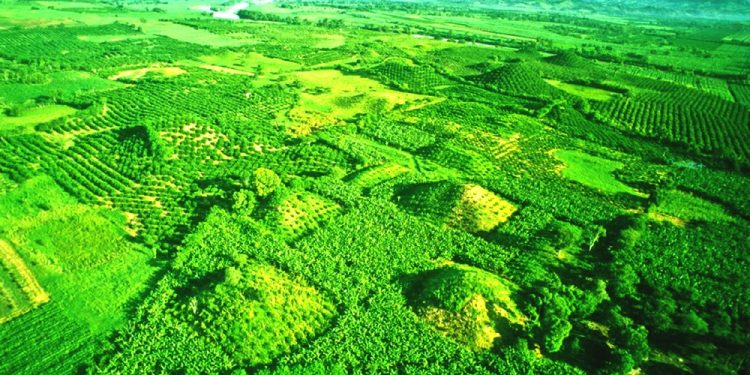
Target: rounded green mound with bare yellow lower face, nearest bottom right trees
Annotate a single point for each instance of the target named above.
(467, 304)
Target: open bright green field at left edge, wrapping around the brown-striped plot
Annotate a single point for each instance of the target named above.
(82, 258)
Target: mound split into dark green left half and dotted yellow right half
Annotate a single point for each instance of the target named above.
(468, 207)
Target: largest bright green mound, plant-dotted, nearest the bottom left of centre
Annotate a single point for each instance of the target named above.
(258, 312)
